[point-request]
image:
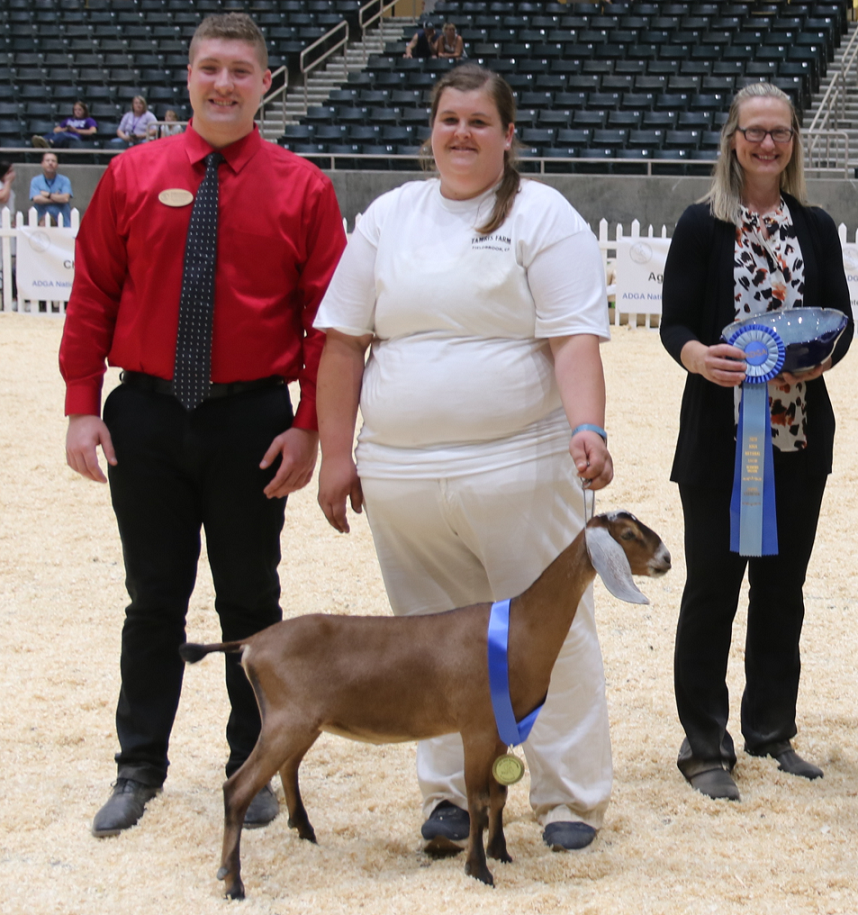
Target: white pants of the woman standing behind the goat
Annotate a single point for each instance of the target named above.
(445, 543)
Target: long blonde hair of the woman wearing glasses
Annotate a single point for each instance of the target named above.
(728, 178)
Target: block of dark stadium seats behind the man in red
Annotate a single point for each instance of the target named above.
(107, 51)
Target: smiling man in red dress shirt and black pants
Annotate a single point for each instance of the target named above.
(227, 464)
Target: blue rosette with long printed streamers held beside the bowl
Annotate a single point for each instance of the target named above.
(753, 518)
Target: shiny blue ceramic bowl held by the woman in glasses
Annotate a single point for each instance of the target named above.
(809, 335)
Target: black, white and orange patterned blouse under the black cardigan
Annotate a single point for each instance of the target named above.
(768, 274)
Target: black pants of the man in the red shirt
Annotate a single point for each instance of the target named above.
(178, 472)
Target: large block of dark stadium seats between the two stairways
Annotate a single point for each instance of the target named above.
(630, 80)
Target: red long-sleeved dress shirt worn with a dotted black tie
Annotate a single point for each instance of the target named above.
(280, 236)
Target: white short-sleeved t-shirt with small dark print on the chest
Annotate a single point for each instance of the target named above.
(460, 377)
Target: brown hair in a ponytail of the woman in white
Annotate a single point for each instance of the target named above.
(467, 78)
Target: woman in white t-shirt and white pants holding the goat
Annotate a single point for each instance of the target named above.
(483, 299)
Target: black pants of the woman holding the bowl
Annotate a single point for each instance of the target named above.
(775, 617)
